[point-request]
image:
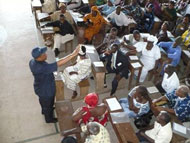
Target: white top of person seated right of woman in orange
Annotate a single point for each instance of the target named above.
(121, 19)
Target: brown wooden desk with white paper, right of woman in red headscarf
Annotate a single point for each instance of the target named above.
(124, 131)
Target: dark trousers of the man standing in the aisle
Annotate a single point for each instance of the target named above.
(47, 107)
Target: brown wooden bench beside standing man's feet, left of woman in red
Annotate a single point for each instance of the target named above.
(64, 110)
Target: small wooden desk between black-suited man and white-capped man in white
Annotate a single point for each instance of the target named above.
(132, 70)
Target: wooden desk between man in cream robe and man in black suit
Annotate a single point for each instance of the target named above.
(98, 72)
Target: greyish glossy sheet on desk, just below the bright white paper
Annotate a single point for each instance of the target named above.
(119, 117)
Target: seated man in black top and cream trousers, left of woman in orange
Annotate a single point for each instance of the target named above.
(64, 33)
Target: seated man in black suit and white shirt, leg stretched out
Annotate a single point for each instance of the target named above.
(117, 63)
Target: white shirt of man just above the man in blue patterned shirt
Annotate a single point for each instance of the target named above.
(171, 83)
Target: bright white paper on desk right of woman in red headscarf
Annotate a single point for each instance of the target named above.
(113, 104)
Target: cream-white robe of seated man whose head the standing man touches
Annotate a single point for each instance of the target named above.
(82, 67)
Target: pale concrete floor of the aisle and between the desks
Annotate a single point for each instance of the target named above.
(20, 114)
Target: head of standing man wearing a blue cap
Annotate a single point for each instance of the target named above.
(39, 54)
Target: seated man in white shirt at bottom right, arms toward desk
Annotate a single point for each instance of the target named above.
(160, 132)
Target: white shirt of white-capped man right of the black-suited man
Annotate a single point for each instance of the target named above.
(148, 57)
